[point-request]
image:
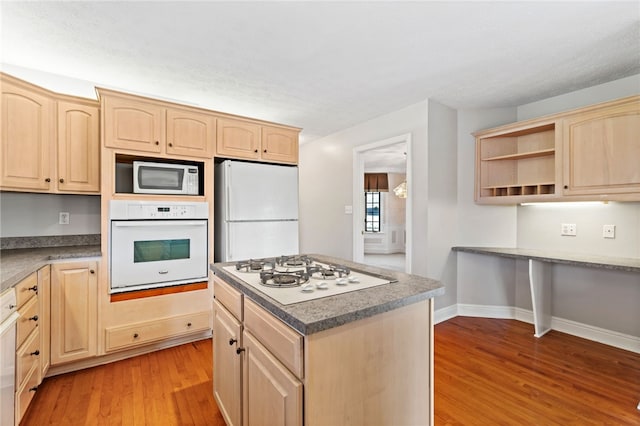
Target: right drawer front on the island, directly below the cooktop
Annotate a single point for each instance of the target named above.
(279, 338)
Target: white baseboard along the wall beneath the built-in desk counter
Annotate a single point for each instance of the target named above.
(585, 331)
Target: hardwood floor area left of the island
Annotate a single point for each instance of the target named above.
(169, 387)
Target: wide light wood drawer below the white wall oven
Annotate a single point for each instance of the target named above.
(151, 331)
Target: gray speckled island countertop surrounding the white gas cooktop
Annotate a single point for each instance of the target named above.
(321, 314)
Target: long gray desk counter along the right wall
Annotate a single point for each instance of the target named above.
(628, 264)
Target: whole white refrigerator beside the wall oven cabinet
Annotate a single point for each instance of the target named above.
(256, 211)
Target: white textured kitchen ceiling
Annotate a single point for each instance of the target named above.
(326, 66)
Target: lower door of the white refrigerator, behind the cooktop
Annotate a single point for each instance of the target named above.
(256, 240)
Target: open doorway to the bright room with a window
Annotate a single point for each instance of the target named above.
(390, 247)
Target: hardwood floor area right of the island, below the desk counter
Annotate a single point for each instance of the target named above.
(490, 371)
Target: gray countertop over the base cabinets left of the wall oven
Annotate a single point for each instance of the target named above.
(17, 264)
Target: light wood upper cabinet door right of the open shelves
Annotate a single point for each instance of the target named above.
(602, 151)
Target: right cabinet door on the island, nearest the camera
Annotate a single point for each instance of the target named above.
(271, 394)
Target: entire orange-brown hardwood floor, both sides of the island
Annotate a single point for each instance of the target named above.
(487, 372)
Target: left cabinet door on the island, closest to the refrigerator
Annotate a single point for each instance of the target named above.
(227, 382)
